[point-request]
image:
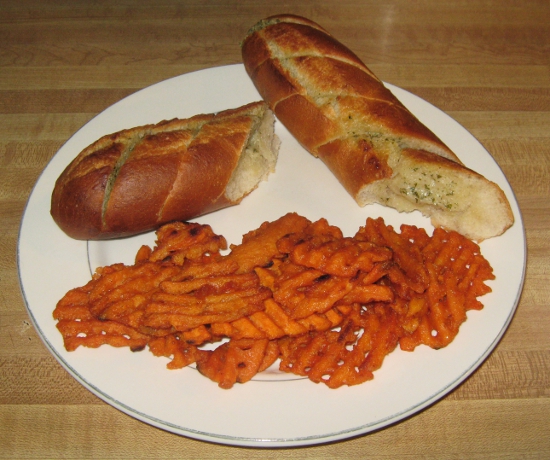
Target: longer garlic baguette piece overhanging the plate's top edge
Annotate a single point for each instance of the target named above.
(380, 152)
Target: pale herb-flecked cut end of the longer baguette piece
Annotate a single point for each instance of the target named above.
(452, 196)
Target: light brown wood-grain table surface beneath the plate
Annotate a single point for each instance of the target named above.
(485, 63)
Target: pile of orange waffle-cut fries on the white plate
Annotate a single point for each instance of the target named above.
(329, 308)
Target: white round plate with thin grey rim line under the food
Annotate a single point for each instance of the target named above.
(272, 410)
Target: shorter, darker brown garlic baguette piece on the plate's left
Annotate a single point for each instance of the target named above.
(137, 179)
